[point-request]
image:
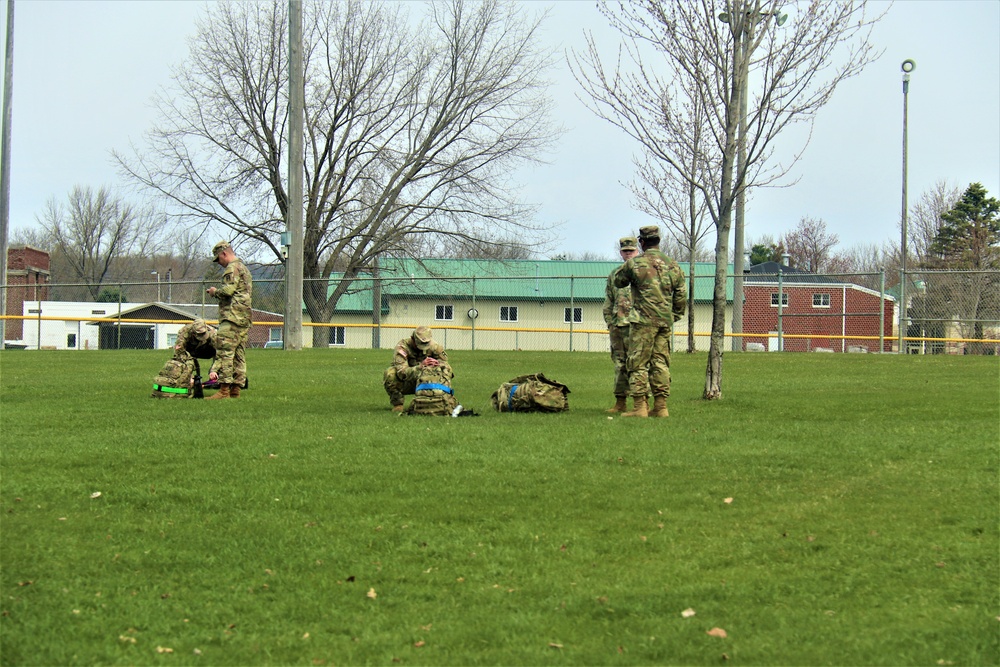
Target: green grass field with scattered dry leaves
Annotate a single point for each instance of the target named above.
(831, 509)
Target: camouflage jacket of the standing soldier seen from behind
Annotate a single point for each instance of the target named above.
(659, 295)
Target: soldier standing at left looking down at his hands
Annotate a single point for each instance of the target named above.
(235, 313)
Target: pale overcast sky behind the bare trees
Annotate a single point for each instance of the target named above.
(84, 73)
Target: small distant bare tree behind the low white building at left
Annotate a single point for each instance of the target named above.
(95, 235)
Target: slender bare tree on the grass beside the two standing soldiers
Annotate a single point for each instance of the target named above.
(673, 45)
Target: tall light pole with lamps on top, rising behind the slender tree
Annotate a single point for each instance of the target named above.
(744, 37)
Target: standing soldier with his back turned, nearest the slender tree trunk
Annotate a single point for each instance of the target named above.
(659, 298)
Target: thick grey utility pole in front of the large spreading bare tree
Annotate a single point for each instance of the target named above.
(292, 334)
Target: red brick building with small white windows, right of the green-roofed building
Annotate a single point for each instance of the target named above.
(817, 313)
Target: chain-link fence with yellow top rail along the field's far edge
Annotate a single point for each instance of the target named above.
(788, 310)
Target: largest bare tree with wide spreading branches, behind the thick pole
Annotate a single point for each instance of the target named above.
(410, 131)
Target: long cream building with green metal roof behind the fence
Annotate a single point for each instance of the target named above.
(491, 304)
